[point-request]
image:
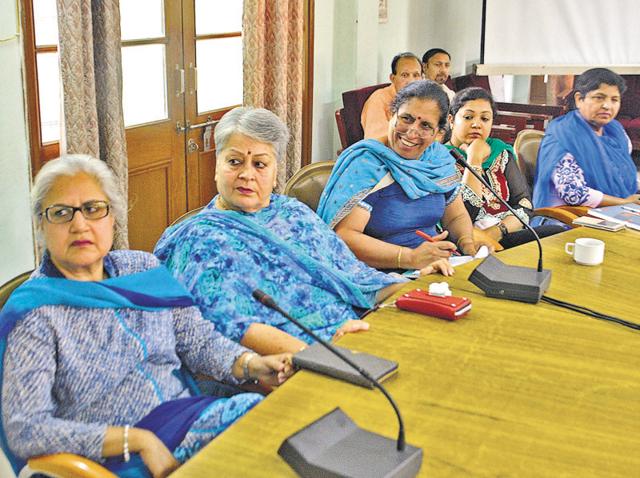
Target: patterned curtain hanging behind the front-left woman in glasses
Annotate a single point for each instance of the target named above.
(91, 71)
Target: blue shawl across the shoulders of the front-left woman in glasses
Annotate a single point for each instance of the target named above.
(149, 290)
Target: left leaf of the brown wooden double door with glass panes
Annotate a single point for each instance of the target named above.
(153, 98)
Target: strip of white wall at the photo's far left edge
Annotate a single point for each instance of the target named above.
(16, 240)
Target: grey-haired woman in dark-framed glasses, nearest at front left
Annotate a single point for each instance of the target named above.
(95, 341)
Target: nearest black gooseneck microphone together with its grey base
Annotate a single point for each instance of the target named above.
(369, 448)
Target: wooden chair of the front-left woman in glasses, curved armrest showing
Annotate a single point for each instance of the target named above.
(60, 465)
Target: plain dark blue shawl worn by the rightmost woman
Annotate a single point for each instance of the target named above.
(605, 159)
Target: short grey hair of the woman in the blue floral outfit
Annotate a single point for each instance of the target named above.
(256, 123)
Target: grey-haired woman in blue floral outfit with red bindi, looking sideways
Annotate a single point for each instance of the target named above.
(249, 238)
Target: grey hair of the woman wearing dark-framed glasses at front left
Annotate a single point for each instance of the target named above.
(70, 165)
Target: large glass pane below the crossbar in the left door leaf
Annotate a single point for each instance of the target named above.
(144, 84)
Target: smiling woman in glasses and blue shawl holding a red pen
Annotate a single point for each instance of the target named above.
(381, 192)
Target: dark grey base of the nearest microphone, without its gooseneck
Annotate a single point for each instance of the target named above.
(334, 446)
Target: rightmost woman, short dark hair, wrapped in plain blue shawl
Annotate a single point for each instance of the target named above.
(585, 155)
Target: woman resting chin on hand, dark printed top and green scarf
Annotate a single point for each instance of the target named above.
(471, 118)
